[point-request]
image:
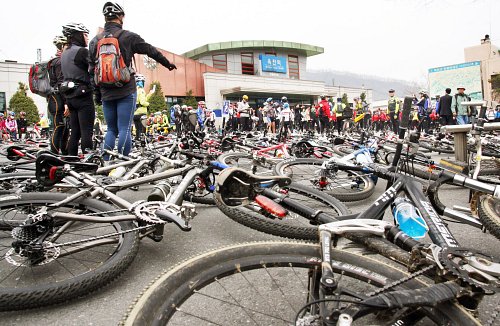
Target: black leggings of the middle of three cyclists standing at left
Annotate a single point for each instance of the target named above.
(82, 123)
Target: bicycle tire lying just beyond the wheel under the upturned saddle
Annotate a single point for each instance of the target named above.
(345, 193)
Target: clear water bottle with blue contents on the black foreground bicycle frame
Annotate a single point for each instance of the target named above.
(408, 218)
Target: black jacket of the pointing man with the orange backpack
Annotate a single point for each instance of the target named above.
(130, 43)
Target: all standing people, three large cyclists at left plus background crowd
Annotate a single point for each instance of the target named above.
(78, 84)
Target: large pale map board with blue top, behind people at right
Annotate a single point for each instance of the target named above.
(466, 74)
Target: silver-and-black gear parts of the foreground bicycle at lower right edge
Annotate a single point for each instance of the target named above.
(472, 267)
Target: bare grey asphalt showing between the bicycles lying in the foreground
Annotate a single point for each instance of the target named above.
(211, 229)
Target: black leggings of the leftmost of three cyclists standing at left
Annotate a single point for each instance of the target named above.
(60, 135)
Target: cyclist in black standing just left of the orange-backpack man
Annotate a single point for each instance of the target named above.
(78, 92)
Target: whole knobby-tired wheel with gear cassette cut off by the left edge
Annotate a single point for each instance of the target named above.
(75, 259)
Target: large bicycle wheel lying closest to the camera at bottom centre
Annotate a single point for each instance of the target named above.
(268, 283)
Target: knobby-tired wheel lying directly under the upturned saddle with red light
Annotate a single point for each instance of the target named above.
(293, 225)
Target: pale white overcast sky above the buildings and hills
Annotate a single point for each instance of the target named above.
(398, 39)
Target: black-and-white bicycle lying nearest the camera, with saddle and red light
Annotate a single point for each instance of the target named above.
(305, 283)
